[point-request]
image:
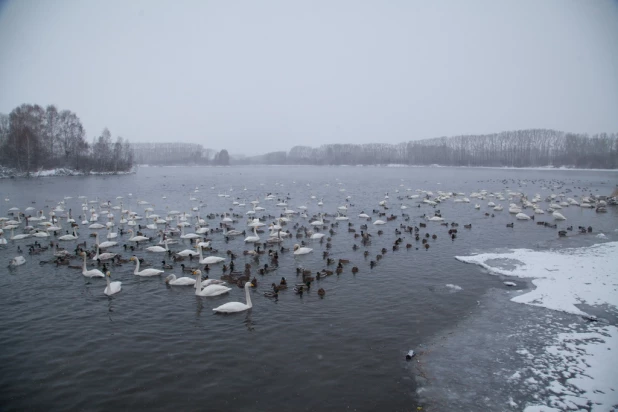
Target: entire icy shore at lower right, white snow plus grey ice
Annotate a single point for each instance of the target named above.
(550, 355)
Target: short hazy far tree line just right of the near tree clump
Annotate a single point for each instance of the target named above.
(179, 154)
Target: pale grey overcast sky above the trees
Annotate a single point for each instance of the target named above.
(258, 76)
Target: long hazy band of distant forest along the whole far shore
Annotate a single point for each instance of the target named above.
(521, 148)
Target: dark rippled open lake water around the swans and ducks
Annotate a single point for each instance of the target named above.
(64, 344)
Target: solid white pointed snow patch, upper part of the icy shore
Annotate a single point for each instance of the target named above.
(563, 278)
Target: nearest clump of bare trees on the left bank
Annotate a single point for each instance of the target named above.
(34, 138)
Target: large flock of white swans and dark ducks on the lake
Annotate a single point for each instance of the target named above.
(52, 234)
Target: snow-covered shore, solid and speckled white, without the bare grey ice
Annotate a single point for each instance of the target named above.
(566, 365)
